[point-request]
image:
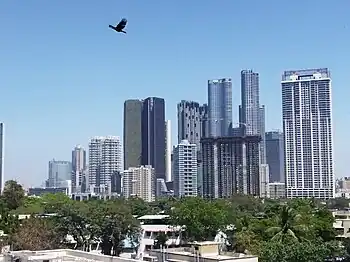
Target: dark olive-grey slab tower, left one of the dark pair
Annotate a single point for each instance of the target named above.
(132, 133)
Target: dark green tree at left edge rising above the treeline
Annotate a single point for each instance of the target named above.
(13, 194)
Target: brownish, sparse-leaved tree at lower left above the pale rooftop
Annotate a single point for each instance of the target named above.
(37, 234)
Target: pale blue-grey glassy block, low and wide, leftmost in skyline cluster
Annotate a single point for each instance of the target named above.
(59, 173)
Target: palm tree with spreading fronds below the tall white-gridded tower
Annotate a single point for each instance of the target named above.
(289, 226)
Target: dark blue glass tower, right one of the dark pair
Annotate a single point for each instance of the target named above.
(153, 135)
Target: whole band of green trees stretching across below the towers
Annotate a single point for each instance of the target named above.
(287, 230)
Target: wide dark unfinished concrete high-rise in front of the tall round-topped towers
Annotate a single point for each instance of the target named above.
(230, 165)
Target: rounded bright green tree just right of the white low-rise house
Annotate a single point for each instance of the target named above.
(201, 219)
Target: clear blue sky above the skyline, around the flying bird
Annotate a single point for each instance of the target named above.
(64, 75)
